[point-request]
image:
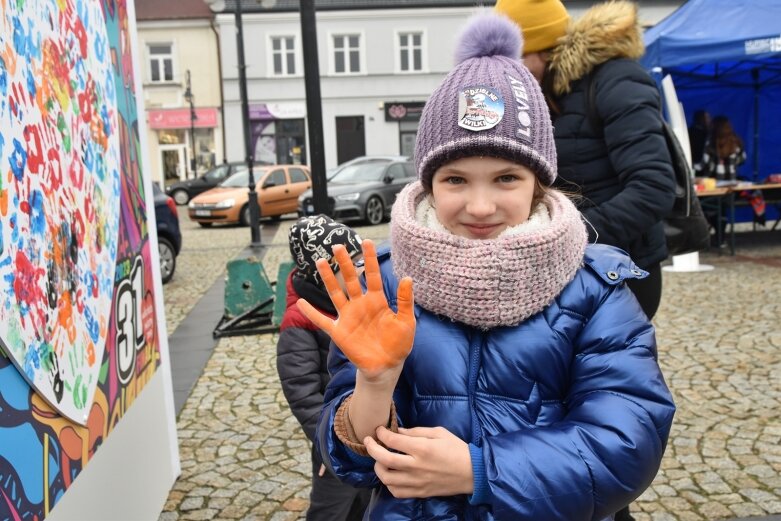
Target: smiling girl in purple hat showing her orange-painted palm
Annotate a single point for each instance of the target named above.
(520, 381)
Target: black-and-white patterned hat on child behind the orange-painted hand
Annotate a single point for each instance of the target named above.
(313, 238)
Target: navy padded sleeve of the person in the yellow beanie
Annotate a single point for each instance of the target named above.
(628, 104)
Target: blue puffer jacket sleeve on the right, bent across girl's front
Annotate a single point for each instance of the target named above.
(608, 447)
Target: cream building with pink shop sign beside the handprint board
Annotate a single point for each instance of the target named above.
(178, 48)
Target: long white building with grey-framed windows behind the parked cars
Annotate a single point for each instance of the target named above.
(378, 60)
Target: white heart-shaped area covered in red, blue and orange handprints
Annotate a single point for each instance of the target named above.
(59, 151)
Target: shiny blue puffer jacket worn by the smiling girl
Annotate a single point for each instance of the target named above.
(568, 411)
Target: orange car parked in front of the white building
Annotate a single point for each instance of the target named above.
(277, 186)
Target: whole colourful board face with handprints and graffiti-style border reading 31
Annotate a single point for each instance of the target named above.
(78, 317)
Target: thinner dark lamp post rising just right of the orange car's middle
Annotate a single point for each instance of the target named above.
(254, 209)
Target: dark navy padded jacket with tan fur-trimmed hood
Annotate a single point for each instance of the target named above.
(618, 162)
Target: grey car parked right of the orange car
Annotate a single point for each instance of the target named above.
(362, 191)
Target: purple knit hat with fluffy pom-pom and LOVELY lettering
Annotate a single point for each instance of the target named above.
(489, 105)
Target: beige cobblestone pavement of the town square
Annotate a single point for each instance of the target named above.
(244, 456)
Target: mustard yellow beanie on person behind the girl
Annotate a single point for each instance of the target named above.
(543, 22)
